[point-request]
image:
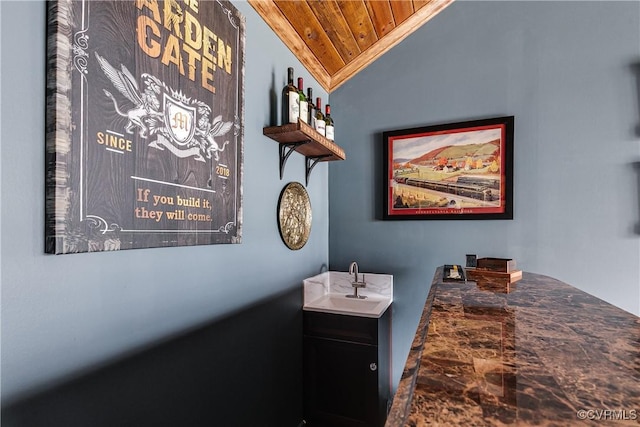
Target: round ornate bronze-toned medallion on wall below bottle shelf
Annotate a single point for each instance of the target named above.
(294, 215)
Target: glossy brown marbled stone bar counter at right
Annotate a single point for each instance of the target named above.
(538, 352)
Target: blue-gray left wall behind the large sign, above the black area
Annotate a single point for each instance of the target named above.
(63, 316)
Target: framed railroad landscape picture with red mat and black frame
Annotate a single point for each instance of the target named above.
(450, 171)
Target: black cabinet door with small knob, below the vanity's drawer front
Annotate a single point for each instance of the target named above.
(341, 383)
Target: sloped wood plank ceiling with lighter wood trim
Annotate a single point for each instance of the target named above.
(335, 39)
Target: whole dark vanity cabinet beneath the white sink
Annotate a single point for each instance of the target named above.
(346, 369)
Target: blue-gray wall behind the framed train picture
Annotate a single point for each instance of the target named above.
(568, 73)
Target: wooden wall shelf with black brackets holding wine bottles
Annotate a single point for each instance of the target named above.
(305, 140)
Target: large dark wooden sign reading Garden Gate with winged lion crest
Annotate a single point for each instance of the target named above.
(145, 119)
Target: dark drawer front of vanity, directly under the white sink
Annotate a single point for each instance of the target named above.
(337, 326)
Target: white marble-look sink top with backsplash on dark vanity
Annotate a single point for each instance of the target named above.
(327, 292)
